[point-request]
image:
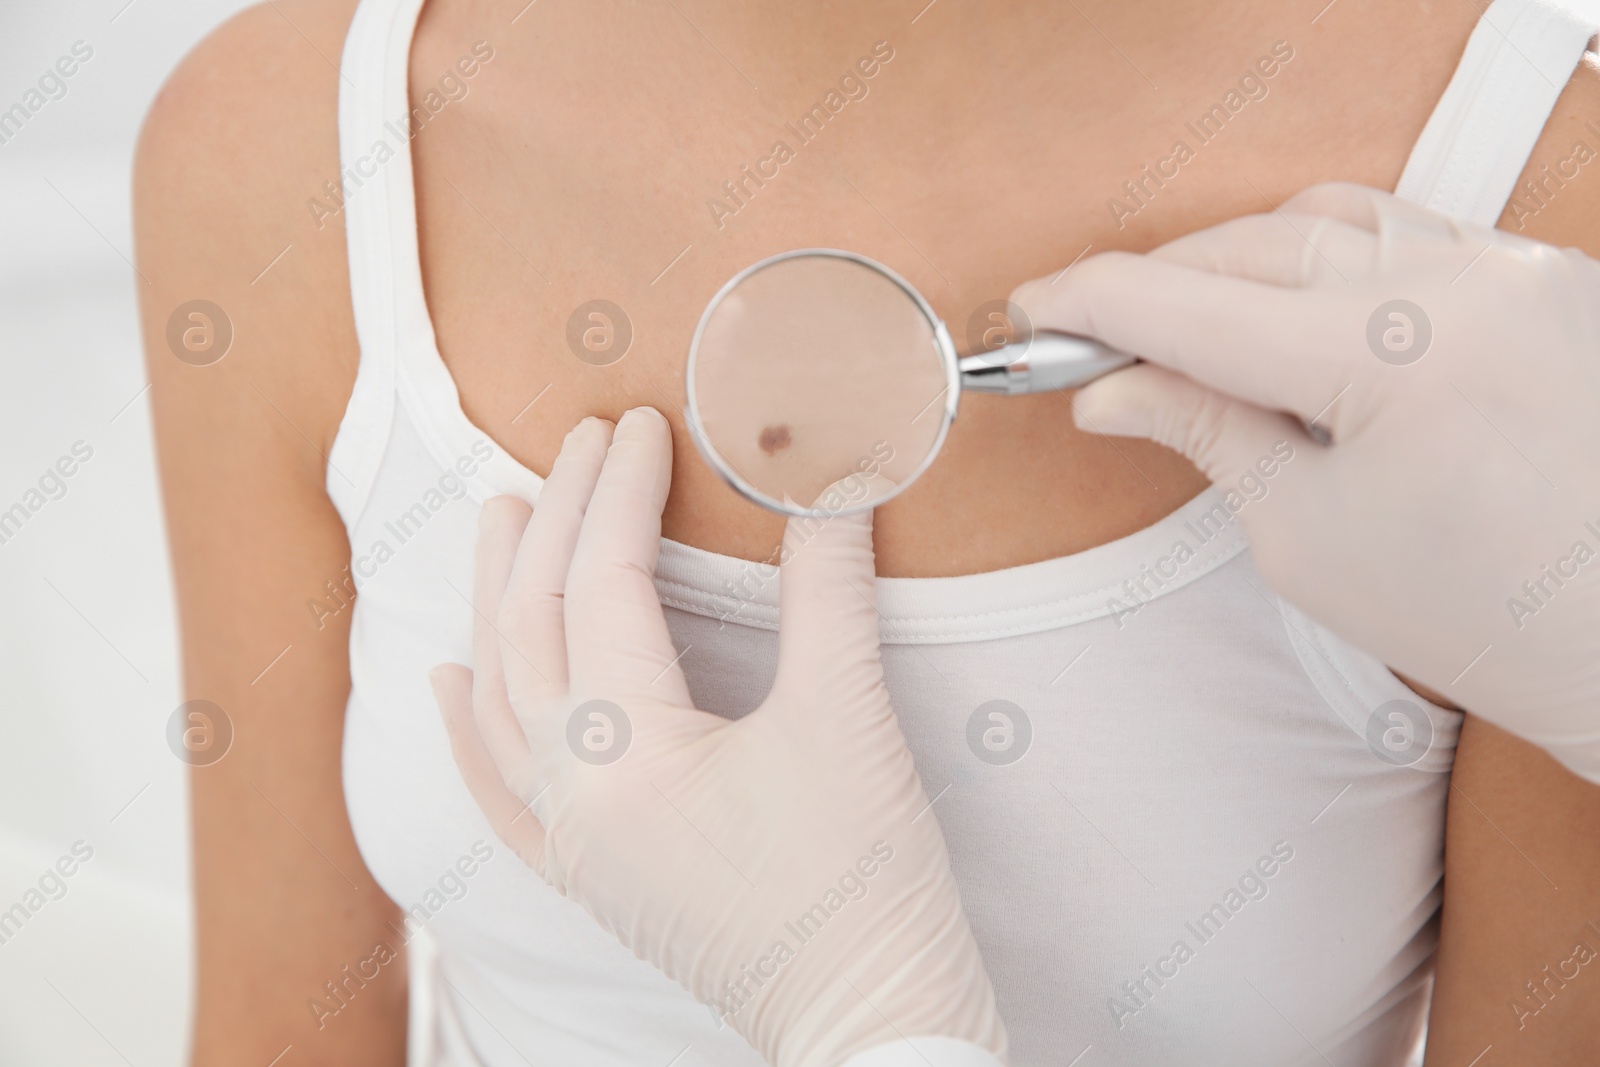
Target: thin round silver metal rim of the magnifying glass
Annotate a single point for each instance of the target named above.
(943, 348)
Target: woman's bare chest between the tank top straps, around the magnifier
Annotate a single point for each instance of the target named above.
(575, 225)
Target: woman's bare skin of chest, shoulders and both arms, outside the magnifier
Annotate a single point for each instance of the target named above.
(578, 167)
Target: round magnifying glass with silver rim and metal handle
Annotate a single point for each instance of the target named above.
(822, 383)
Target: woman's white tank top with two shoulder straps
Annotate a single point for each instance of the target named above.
(1222, 842)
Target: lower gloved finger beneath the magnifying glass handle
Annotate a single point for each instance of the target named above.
(1222, 436)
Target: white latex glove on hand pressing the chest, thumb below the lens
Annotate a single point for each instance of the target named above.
(785, 868)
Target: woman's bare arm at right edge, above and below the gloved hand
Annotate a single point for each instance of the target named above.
(1519, 961)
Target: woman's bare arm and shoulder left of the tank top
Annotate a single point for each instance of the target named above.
(241, 137)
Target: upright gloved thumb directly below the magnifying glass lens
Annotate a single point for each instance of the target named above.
(828, 618)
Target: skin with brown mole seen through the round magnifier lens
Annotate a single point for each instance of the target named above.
(815, 369)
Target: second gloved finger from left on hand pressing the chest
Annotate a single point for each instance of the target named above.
(500, 529)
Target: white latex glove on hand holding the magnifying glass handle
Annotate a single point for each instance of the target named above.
(1454, 527)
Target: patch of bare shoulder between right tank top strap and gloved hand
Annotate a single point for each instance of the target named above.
(1558, 199)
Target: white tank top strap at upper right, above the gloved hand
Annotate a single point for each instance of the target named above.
(1482, 132)
